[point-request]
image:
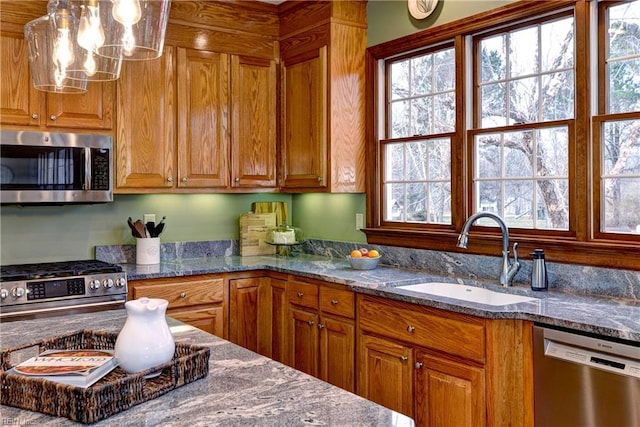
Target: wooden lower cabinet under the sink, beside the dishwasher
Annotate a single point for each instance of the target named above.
(443, 368)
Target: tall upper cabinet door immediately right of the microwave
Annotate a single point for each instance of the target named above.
(145, 139)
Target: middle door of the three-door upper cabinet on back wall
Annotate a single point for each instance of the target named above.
(203, 124)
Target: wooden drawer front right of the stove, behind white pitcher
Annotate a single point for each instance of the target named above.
(183, 293)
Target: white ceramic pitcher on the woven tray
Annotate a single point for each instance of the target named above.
(145, 340)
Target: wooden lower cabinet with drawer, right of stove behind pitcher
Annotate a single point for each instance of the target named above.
(196, 300)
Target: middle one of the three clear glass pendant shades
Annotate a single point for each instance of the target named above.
(91, 37)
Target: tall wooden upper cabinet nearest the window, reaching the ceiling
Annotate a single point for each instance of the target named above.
(322, 138)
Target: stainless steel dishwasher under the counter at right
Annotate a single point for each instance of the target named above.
(583, 380)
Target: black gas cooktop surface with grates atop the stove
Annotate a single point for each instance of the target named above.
(15, 272)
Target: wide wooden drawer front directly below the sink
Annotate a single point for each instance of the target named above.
(452, 333)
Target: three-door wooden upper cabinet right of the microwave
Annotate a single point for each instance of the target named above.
(196, 119)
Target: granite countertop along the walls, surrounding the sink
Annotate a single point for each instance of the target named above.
(618, 318)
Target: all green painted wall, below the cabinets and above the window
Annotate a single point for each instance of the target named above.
(37, 234)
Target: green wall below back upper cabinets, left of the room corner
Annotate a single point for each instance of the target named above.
(70, 232)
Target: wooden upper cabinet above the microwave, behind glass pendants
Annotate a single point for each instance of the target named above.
(23, 105)
